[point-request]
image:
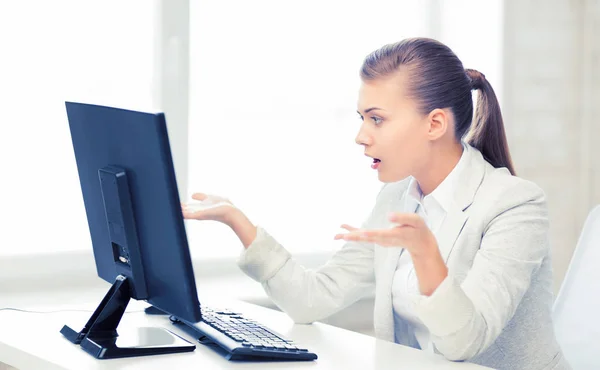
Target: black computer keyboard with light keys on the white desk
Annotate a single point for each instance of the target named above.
(240, 338)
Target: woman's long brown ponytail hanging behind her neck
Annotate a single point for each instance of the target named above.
(487, 128)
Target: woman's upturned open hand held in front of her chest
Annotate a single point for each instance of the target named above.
(410, 232)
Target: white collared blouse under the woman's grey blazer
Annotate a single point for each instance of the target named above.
(432, 208)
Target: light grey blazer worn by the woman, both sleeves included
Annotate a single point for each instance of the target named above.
(493, 309)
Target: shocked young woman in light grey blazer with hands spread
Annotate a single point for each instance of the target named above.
(456, 247)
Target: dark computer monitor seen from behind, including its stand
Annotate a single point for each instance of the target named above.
(138, 236)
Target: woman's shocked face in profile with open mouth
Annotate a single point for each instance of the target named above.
(393, 131)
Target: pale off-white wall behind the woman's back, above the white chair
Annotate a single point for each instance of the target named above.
(550, 102)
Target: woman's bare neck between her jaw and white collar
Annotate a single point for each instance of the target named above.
(442, 162)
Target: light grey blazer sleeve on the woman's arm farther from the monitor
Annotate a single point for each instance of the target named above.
(465, 319)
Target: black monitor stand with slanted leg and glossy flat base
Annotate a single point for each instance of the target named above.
(99, 337)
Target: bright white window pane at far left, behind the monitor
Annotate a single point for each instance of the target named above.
(99, 52)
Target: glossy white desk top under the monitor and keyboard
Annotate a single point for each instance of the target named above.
(33, 341)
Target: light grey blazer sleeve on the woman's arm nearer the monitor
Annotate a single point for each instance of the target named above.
(309, 295)
